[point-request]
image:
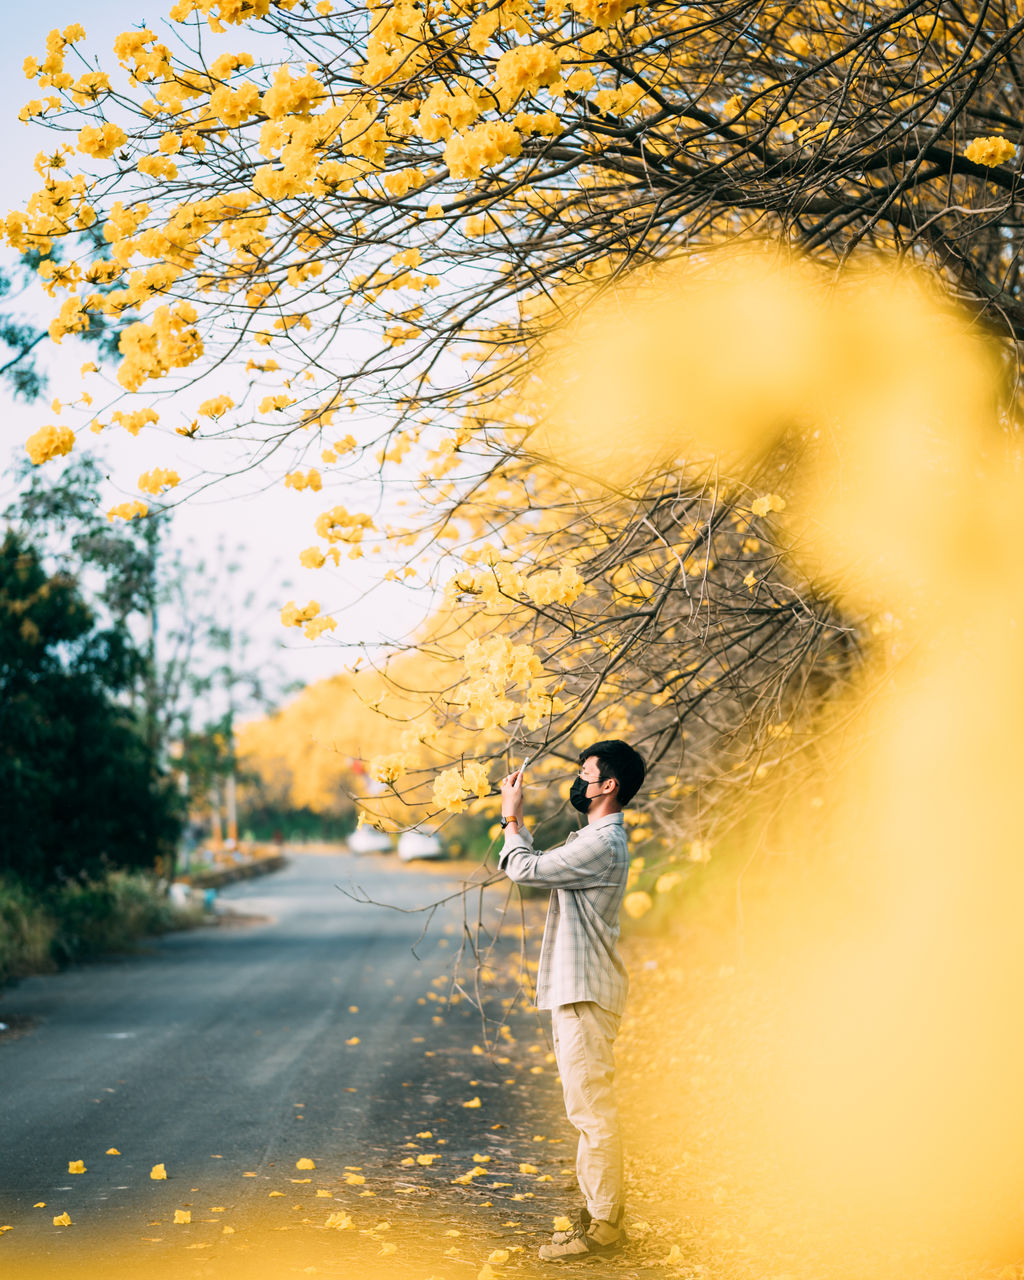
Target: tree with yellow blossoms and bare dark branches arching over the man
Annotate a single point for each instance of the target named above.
(386, 211)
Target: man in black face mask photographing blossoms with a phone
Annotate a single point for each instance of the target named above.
(582, 977)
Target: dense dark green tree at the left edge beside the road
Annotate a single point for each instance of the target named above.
(81, 787)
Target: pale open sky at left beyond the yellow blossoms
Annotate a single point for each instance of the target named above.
(269, 525)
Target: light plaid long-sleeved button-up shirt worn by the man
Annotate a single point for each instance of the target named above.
(579, 958)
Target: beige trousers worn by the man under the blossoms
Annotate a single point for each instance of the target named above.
(584, 1035)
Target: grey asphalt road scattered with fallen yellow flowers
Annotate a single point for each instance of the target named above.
(319, 1032)
